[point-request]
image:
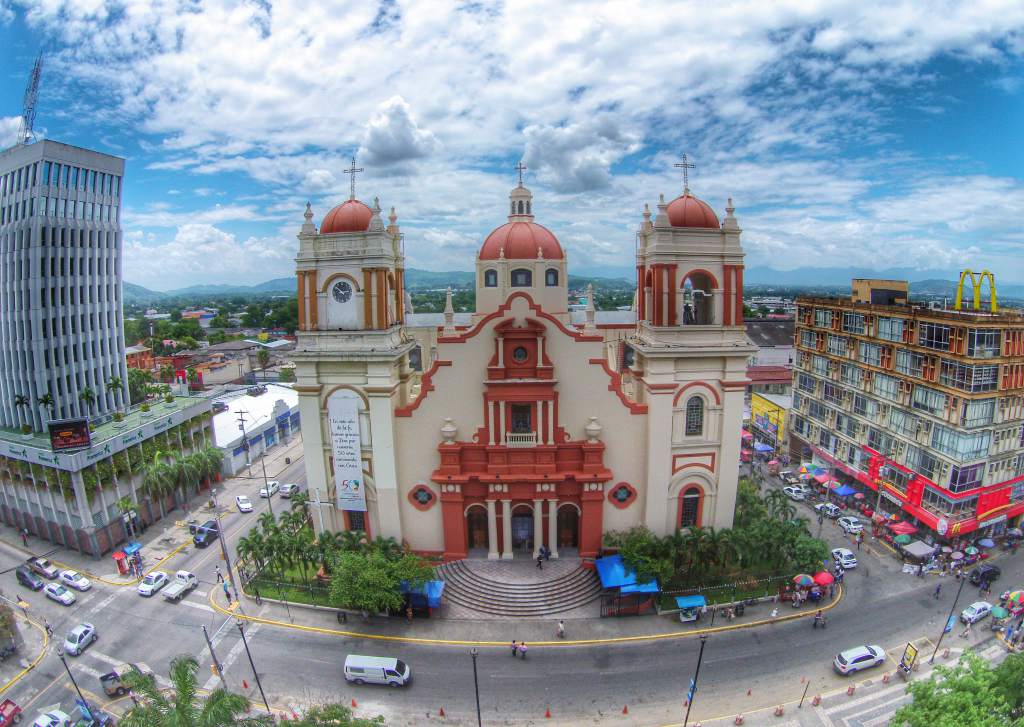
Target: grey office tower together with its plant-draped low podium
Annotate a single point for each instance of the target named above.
(63, 355)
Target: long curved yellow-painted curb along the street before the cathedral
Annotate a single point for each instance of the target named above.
(504, 645)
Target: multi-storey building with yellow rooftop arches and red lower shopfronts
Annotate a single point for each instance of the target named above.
(925, 405)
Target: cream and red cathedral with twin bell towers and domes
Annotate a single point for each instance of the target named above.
(525, 423)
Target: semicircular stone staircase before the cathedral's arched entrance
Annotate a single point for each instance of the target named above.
(482, 589)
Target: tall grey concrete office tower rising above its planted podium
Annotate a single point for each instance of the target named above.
(61, 319)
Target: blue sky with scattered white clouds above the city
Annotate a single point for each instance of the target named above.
(874, 135)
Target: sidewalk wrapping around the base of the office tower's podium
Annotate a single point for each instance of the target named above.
(164, 538)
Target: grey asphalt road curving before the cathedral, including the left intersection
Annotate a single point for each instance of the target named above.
(589, 685)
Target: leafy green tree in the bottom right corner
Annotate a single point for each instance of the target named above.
(955, 697)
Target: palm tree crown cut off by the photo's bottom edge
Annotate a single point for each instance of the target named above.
(183, 707)
